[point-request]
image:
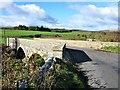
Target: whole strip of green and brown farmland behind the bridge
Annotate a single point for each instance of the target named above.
(103, 36)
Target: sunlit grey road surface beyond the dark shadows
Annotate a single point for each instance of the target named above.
(107, 63)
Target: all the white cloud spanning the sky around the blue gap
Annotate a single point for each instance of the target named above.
(89, 17)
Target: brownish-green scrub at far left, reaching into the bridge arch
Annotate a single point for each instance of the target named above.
(14, 70)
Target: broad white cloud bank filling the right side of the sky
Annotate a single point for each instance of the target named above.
(93, 17)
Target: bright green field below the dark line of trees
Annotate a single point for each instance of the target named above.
(17, 33)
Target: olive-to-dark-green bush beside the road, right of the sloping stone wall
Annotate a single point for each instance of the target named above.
(62, 75)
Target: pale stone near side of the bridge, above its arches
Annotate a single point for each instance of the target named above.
(44, 48)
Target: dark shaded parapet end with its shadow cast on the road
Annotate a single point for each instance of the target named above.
(74, 55)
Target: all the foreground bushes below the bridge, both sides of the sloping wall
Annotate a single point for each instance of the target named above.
(61, 75)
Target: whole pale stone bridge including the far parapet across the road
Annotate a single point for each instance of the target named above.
(53, 47)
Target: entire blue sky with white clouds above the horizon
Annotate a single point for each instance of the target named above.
(70, 15)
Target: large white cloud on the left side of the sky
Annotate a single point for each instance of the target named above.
(28, 14)
